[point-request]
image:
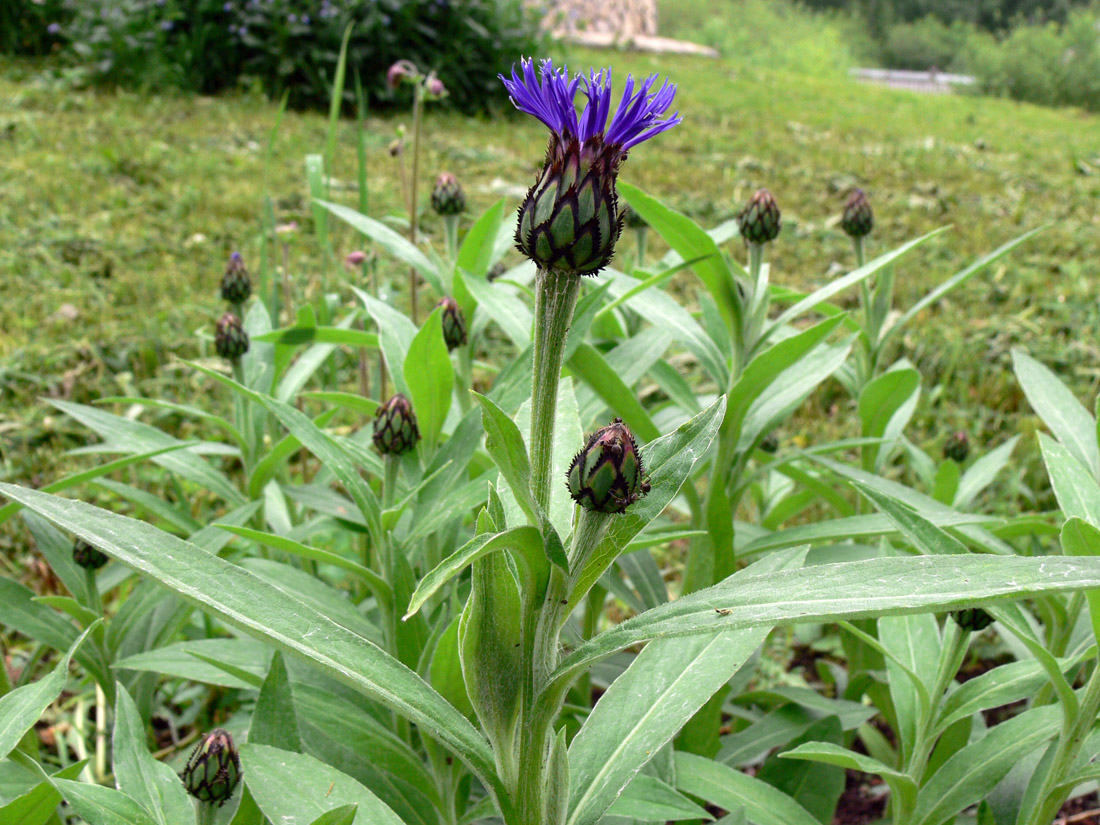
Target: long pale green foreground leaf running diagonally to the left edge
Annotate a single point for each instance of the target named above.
(266, 612)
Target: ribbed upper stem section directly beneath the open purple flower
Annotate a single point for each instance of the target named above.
(555, 302)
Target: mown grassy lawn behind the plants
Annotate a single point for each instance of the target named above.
(117, 213)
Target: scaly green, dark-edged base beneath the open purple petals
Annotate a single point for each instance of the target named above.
(570, 221)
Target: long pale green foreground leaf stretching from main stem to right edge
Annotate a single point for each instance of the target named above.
(844, 591)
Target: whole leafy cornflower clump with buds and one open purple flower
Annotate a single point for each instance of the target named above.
(456, 685)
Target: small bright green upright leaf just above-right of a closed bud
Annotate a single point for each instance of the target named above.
(431, 379)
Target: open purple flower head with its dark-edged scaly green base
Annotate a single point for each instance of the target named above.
(570, 221)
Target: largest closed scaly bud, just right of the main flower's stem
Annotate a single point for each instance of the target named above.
(608, 475)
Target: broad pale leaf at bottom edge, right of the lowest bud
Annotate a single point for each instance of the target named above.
(299, 788)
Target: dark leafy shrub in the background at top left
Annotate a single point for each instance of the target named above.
(293, 46)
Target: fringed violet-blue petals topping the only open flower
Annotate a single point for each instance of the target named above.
(551, 100)
